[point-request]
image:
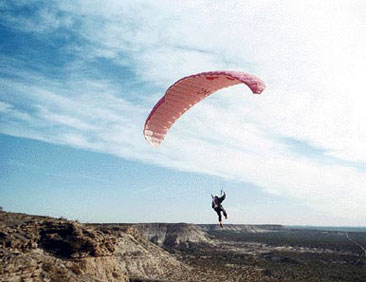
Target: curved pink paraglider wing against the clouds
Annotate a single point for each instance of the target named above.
(188, 91)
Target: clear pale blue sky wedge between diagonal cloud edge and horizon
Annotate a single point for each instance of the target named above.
(41, 178)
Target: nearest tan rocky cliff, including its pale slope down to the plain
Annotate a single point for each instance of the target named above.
(35, 248)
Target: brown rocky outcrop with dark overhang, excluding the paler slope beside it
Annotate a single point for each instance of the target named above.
(36, 248)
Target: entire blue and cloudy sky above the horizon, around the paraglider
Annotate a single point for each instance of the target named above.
(77, 81)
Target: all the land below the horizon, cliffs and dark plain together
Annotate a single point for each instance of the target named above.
(38, 248)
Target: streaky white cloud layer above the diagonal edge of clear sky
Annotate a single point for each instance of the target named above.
(90, 72)
